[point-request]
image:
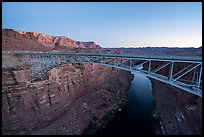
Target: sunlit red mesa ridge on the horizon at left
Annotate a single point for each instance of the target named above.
(21, 40)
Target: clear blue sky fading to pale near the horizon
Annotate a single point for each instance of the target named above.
(111, 24)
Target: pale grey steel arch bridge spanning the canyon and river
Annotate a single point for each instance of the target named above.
(181, 72)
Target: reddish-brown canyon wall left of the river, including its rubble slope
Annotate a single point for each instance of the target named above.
(70, 97)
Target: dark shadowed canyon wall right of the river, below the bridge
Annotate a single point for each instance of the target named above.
(179, 112)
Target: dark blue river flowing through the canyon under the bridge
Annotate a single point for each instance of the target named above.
(136, 116)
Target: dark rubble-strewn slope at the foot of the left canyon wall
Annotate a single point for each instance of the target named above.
(85, 112)
